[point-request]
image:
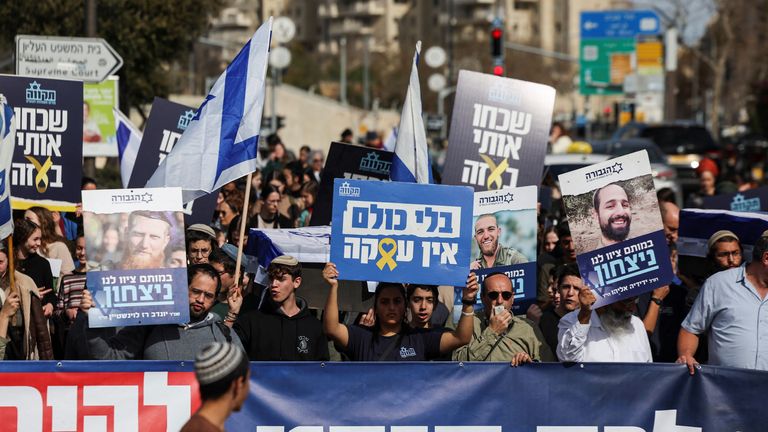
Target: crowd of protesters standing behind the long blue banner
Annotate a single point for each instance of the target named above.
(709, 316)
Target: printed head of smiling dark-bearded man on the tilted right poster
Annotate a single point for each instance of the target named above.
(612, 213)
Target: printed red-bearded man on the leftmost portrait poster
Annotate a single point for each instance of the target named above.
(148, 234)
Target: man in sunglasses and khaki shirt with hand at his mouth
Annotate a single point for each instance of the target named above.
(498, 335)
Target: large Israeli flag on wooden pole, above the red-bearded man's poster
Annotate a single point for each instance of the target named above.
(221, 142)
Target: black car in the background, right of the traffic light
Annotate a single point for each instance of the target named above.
(684, 143)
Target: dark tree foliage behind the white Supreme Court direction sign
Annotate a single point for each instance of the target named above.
(148, 34)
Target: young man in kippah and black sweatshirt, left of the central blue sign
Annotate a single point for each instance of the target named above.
(282, 328)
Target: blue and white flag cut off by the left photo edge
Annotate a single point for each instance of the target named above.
(7, 134)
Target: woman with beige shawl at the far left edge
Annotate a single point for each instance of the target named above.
(23, 328)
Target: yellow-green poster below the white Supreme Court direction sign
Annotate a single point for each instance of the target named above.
(99, 101)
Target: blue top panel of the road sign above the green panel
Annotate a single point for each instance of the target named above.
(620, 24)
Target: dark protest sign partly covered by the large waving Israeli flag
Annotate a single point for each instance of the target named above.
(167, 121)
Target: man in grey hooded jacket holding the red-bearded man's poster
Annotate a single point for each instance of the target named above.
(168, 341)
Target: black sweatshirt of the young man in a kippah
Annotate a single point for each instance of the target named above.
(269, 335)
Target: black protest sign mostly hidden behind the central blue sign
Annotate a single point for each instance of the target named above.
(350, 162)
